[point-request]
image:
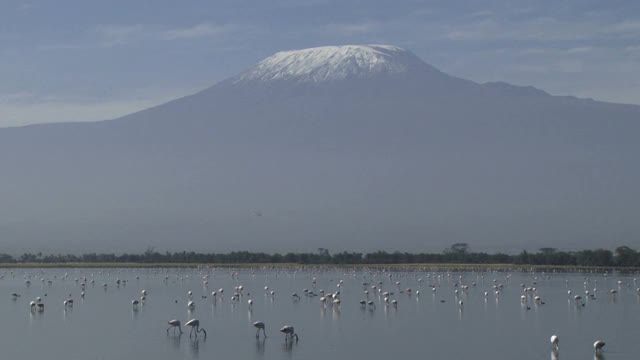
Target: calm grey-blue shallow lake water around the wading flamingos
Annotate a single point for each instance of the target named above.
(105, 325)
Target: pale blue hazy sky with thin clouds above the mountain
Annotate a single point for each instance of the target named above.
(80, 60)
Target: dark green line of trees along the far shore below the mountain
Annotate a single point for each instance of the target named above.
(622, 256)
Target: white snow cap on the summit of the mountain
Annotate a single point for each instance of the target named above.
(330, 63)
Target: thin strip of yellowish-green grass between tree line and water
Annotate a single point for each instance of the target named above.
(412, 266)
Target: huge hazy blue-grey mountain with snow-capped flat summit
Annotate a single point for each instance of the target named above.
(343, 147)
